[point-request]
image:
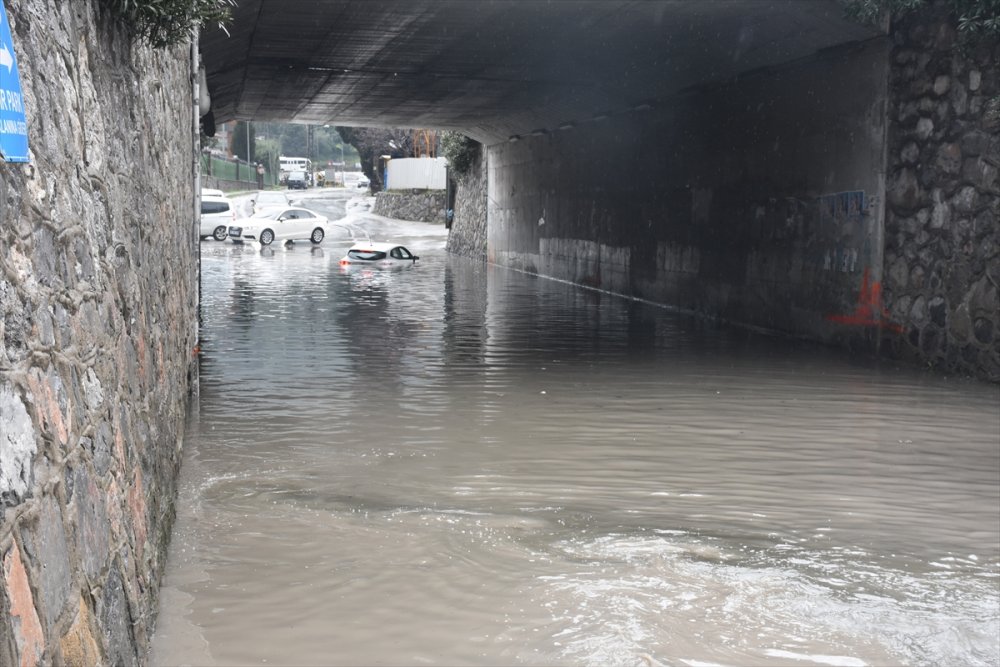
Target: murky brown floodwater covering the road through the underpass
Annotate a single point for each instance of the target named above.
(451, 463)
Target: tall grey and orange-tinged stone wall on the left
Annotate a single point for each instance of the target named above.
(98, 327)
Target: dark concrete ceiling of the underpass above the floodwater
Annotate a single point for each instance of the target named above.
(496, 68)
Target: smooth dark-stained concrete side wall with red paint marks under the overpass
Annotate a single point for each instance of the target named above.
(758, 202)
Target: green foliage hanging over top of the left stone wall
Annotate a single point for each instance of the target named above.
(163, 23)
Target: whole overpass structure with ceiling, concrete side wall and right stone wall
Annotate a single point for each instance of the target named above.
(766, 163)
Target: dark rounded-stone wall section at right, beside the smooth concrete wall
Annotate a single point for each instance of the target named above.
(942, 251)
